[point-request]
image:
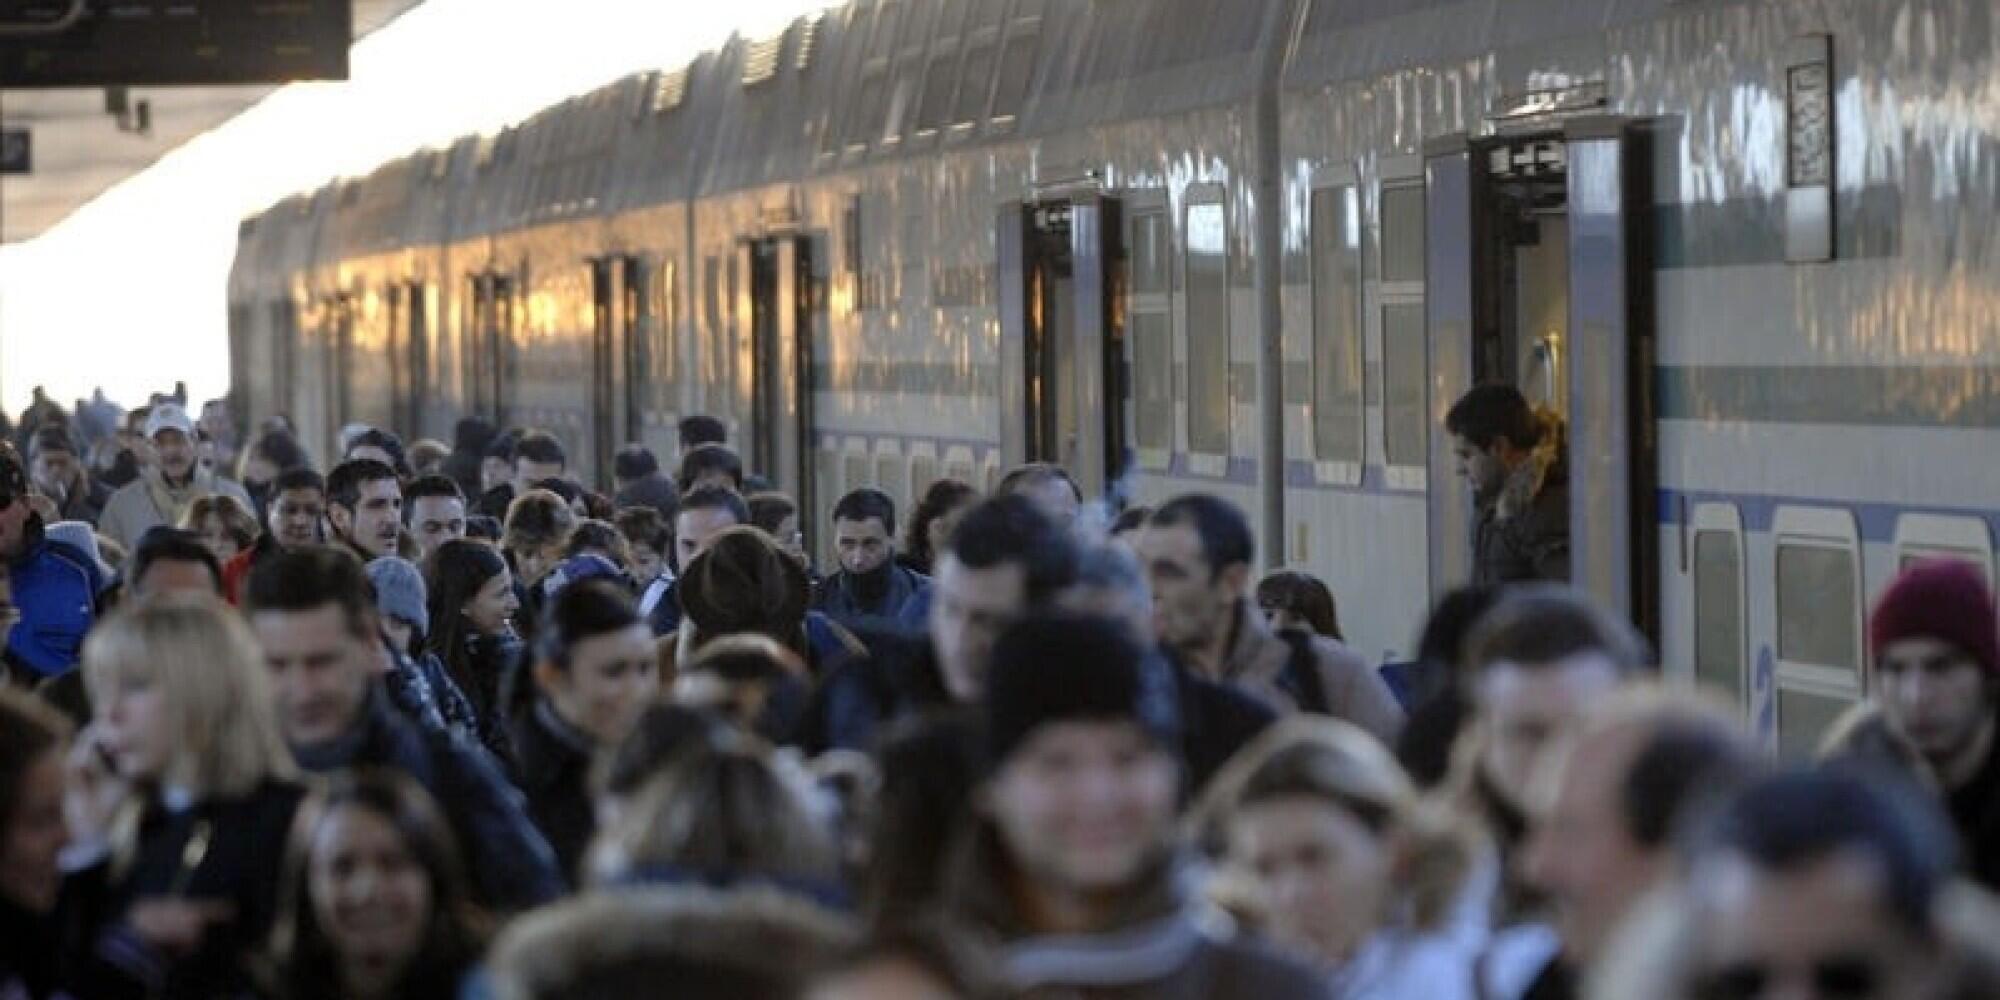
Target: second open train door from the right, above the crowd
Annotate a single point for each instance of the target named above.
(1063, 343)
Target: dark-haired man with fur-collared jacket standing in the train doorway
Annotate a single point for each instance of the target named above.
(1515, 463)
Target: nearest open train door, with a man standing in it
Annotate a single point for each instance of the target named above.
(1537, 277)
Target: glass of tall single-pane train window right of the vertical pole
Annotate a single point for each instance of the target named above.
(1337, 327)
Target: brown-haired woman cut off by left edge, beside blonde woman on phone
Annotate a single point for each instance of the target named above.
(33, 835)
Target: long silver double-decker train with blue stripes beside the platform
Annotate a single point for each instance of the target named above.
(1257, 249)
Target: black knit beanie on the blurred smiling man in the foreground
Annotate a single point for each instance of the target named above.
(1075, 669)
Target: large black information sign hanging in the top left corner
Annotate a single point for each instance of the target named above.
(175, 43)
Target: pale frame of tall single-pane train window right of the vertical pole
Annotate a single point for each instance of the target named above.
(1337, 471)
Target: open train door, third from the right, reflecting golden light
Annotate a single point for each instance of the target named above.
(781, 363)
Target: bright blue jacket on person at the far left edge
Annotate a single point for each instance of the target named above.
(57, 591)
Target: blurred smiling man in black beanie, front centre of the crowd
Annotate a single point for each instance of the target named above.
(1073, 863)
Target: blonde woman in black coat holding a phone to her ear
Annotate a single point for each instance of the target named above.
(191, 865)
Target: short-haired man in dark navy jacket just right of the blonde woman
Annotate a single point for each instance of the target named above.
(317, 623)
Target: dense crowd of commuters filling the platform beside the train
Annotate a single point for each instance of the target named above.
(443, 721)
